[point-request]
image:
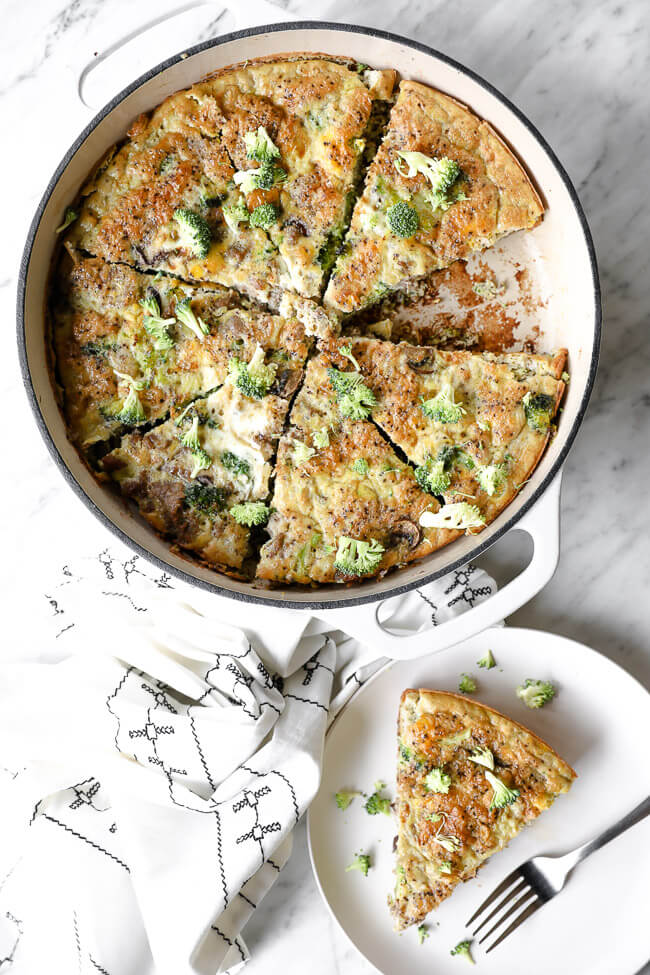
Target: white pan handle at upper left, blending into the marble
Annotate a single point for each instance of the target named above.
(251, 14)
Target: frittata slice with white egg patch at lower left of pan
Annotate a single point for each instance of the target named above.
(202, 478)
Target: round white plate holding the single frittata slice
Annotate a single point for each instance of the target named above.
(598, 722)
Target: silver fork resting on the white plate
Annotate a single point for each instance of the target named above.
(539, 879)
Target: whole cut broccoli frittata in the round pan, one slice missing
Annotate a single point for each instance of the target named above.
(195, 305)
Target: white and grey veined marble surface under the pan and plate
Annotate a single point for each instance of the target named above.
(580, 71)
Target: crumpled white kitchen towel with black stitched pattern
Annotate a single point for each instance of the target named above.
(155, 760)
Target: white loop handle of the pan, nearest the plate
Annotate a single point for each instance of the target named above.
(542, 523)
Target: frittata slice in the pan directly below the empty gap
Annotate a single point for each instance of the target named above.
(474, 424)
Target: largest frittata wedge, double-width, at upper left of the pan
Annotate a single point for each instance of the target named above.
(243, 179)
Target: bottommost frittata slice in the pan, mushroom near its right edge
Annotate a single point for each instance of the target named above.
(344, 505)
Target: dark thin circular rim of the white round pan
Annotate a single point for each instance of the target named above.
(316, 604)
